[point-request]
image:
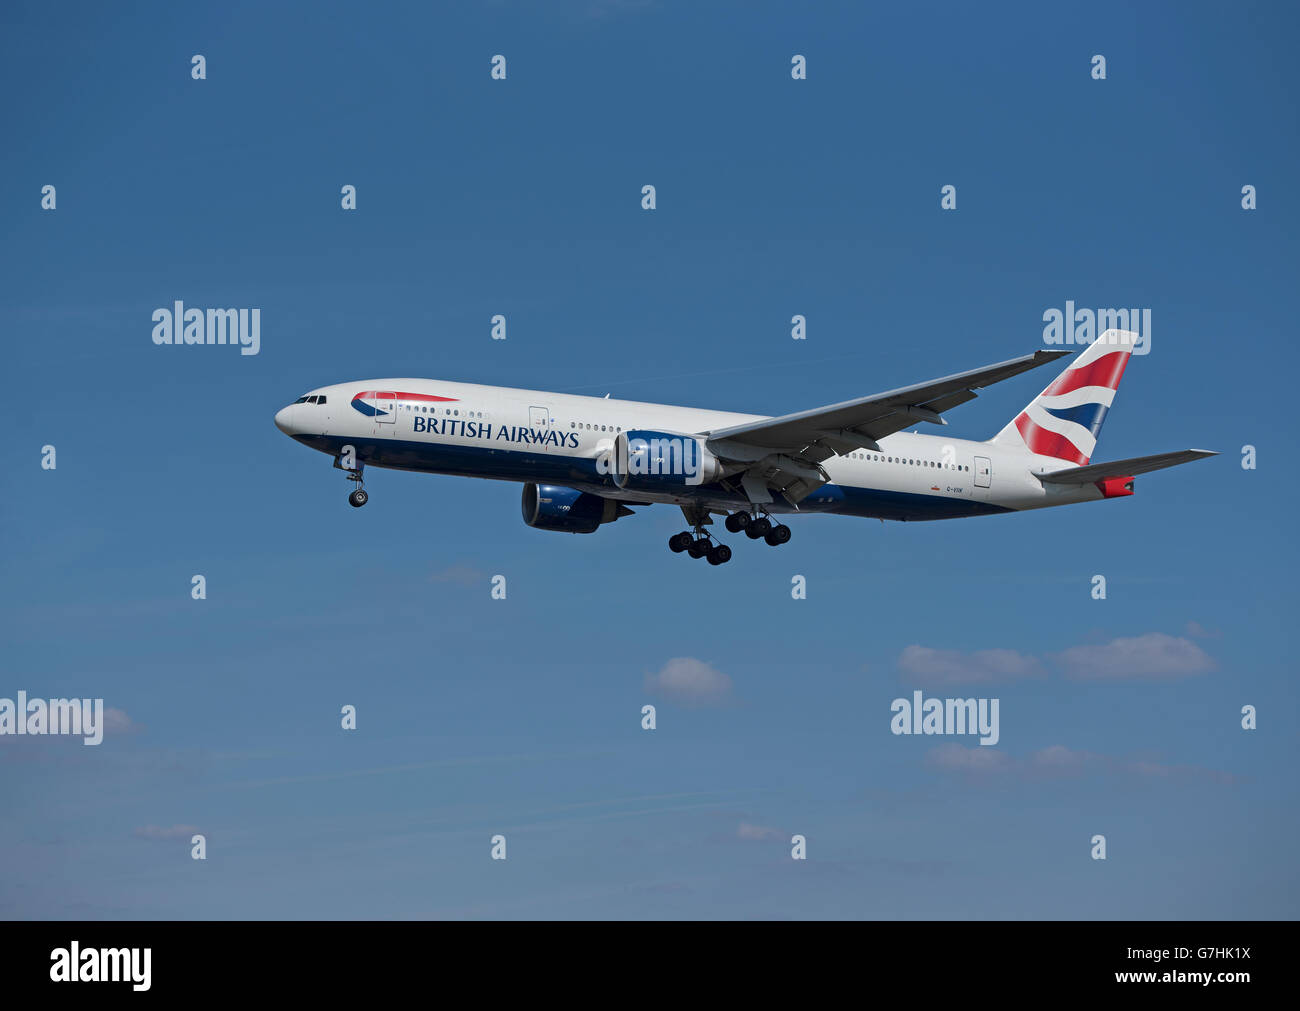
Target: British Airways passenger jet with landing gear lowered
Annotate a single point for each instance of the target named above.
(586, 462)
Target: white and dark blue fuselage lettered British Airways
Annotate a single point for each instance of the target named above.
(531, 436)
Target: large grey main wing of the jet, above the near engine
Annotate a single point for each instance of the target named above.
(786, 453)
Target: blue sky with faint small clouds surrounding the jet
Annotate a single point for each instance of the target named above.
(522, 717)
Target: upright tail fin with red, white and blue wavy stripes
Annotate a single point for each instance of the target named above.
(1065, 420)
